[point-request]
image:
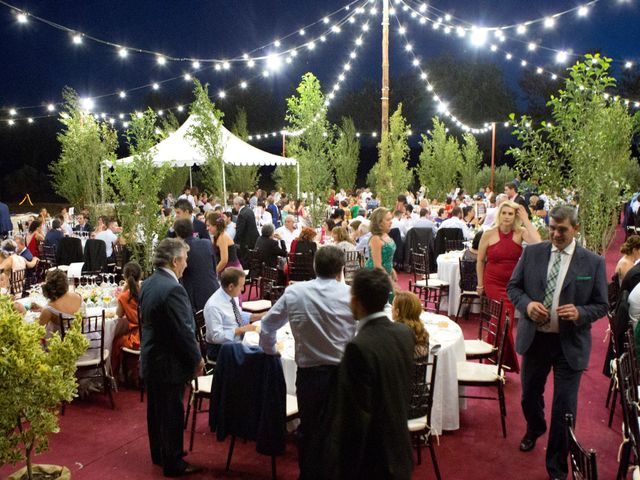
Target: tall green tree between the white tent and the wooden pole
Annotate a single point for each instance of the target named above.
(307, 116)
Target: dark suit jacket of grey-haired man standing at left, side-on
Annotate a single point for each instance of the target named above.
(169, 351)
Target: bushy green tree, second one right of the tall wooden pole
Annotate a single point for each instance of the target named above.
(439, 161)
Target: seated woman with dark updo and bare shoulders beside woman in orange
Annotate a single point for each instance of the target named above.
(61, 301)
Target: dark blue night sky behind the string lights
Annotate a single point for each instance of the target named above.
(38, 60)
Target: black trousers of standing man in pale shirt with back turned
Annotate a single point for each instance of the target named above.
(313, 385)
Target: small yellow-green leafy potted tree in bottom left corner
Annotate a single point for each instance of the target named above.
(33, 383)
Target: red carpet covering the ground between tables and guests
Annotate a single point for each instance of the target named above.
(96, 442)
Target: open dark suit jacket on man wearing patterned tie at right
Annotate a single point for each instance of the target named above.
(585, 286)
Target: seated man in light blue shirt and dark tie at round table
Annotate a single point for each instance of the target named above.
(222, 315)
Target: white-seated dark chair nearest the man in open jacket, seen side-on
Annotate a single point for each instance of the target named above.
(487, 375)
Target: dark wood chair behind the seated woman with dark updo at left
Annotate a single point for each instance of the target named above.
(94, 363)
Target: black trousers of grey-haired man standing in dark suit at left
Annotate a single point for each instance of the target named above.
(165, 424)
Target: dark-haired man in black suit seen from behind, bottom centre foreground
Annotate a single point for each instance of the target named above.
(367, 434)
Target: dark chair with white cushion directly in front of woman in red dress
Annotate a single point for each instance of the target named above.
(485, 346)
